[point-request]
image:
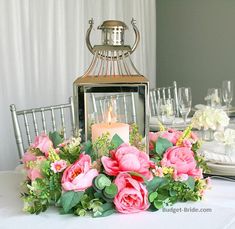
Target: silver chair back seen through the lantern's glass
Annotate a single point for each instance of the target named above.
(125, 108)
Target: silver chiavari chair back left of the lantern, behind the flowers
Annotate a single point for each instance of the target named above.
(27, 123)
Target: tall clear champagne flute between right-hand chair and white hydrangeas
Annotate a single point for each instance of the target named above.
(185, 101)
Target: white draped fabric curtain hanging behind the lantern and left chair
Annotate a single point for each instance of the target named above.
(42, 51)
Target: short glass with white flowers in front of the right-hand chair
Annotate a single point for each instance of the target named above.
(166, 111)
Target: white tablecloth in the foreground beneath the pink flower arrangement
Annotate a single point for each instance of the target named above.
(219, 201)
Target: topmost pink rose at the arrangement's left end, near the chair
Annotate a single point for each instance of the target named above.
(43, 143)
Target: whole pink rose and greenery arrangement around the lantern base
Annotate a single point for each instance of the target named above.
(111, 176)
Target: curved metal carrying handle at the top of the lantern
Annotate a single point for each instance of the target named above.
(137, 39)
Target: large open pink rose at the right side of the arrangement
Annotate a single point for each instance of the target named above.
(182, 160)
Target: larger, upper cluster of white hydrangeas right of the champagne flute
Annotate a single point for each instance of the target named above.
(210, 118)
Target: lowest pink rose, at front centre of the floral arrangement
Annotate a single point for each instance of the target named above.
(132, 196)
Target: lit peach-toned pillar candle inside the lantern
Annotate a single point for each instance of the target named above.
(121, 129)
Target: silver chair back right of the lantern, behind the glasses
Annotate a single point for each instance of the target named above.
(164, 93)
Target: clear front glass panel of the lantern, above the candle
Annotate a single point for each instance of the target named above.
(128, 103)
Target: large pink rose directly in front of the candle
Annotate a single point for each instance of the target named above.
(127, 159)
